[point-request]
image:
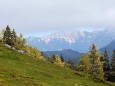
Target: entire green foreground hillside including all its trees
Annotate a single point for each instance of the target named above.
(23, 65)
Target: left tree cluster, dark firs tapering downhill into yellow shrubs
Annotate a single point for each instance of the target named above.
(18, 43)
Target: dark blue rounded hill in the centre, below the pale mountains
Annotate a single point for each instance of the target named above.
(67, 54)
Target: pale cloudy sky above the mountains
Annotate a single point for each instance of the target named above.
(40, 17)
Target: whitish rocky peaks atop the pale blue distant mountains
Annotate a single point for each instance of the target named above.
(69, 37)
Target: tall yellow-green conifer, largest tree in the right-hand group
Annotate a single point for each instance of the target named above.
(96, 69)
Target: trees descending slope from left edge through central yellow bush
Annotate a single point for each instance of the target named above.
(19, 43)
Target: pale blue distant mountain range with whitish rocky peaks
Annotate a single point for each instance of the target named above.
(75, 40)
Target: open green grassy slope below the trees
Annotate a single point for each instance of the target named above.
(21, 70)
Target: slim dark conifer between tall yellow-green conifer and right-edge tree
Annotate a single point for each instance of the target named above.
(106, 65)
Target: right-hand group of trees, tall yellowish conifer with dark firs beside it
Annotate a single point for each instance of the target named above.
(98, 65)
